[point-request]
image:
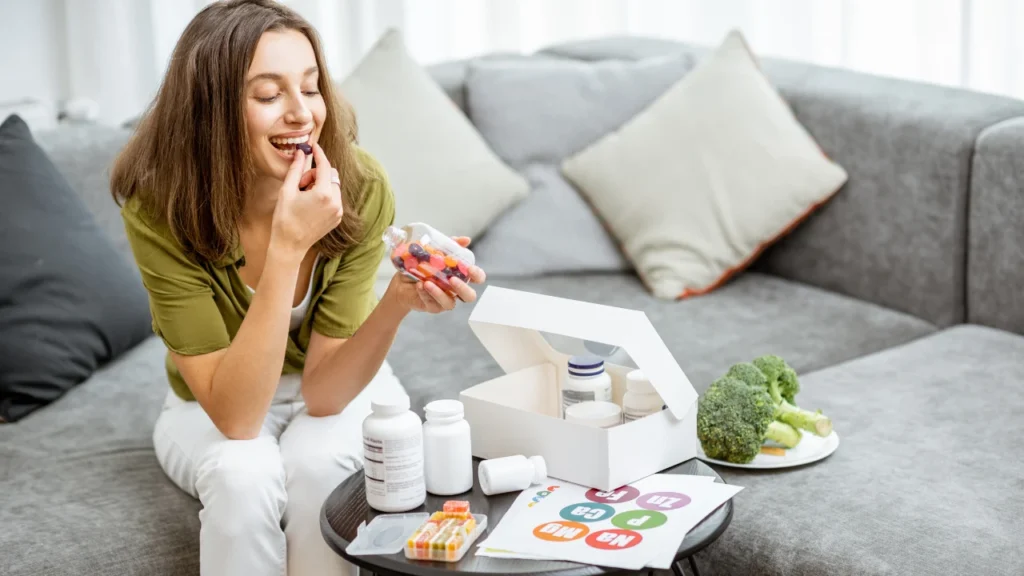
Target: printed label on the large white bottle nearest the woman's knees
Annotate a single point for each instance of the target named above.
(394, 468)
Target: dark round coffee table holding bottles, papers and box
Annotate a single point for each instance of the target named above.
(347, 509)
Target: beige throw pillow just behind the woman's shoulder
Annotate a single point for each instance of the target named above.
(442, 171)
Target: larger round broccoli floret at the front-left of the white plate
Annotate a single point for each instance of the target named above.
(735, 420)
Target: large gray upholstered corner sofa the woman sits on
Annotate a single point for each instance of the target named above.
(901, 303)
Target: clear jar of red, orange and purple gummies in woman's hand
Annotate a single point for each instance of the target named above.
(422, 253)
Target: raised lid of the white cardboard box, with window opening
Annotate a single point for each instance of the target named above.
(509, 323)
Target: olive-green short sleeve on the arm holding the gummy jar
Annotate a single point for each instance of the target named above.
(350, 298)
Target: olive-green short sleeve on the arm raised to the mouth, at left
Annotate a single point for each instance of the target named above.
(185, 314)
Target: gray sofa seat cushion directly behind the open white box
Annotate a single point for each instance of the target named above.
(754, 315)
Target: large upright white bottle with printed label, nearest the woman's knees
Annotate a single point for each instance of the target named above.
(393, 448)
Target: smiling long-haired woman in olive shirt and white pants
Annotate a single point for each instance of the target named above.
(261, 271)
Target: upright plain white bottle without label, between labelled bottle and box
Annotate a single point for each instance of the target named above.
(448, 452)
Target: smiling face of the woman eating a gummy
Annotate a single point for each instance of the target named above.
(284, 106)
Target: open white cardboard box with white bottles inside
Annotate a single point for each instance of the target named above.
(521, 413)
